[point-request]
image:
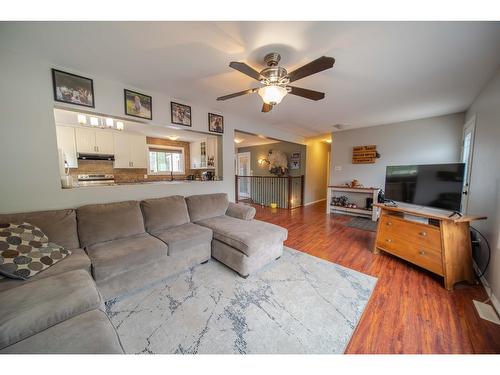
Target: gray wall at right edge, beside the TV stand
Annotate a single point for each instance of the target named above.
(484, 191)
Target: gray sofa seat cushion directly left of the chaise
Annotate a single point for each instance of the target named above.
(184, 237)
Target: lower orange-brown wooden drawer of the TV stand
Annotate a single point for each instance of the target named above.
(425, 257)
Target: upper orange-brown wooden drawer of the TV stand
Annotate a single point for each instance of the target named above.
(420, 234)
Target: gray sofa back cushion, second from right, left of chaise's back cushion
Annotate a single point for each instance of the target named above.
(164, 213)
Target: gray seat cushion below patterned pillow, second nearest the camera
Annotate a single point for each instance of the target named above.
(36, 306)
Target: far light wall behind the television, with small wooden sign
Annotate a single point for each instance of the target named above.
(424, 141)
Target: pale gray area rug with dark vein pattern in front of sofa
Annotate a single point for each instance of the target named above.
(298, 304)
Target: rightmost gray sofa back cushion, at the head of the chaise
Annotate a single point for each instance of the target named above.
(206, 206)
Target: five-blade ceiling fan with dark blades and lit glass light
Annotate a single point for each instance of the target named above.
(276, 80)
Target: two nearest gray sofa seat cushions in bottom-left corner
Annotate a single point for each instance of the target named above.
(48, 316)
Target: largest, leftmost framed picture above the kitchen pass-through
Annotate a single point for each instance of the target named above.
(72, 89)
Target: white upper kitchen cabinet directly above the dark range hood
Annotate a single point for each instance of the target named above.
(94, 141)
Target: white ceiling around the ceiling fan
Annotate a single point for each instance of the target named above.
(384, 72)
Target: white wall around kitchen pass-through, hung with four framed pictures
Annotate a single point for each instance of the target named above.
(28, 152)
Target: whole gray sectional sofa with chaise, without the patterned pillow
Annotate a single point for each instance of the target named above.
(116, 248)
